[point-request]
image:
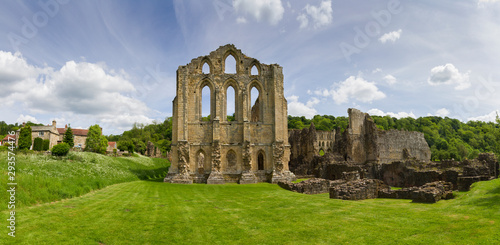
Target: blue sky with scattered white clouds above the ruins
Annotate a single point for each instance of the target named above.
(113, 63)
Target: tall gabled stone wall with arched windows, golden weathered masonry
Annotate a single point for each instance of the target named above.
(252, 148)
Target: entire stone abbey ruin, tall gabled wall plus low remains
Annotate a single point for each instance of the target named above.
(254, 145)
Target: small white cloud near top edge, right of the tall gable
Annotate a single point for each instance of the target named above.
(320, 15)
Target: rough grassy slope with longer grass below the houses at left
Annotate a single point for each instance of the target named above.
(42, 178)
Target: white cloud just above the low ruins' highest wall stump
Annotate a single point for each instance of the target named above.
(355, 88)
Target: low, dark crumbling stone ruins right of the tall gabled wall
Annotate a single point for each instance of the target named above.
(363, 161)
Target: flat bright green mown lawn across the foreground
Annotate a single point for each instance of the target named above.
(146, 212)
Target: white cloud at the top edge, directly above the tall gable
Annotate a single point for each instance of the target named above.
(270, 11)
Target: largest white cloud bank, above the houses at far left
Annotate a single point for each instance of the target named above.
(78, 88)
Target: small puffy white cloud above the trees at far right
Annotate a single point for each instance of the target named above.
(448, 74)
